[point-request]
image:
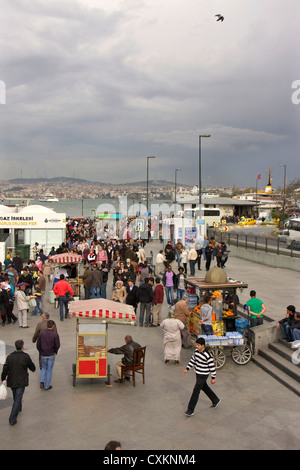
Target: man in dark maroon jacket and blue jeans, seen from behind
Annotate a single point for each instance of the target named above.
(48, 344)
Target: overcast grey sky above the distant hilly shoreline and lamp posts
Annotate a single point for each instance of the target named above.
(93, 87)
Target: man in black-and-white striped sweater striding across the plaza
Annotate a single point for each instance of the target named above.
(203, 363)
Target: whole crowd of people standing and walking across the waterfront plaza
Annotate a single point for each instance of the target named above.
(134, 282)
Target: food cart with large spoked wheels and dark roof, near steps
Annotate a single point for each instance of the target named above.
(225, 318)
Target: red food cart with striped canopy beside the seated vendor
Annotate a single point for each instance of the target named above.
(92, 320)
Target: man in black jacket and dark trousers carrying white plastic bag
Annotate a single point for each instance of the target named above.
(15, 370)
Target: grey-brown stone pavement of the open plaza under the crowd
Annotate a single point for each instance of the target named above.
(256, 412)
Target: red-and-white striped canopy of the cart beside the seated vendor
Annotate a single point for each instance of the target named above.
(102, 309)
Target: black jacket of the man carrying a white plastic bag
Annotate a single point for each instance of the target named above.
(15, 369)
